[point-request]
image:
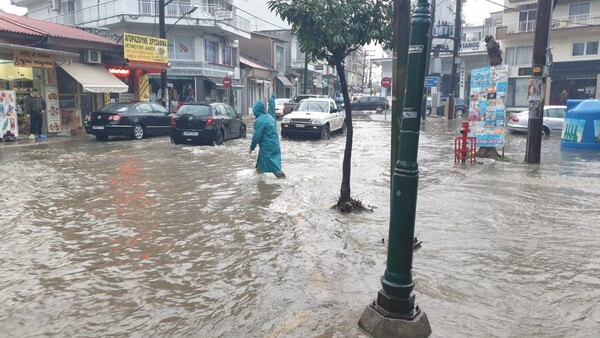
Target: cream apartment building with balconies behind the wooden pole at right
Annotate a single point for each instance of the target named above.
(573, 49)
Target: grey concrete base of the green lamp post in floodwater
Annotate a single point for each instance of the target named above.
(377, 325)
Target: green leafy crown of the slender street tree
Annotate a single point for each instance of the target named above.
(332, 29)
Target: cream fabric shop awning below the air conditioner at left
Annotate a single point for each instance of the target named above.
(95, 79)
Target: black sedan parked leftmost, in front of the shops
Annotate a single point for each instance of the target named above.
(133, 119)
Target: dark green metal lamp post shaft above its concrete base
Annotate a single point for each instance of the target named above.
(396, 299)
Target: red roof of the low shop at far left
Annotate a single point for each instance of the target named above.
(26, 25)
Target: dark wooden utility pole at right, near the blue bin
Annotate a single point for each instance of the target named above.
(537, 84)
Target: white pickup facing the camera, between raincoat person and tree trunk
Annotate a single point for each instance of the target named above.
(314, 117)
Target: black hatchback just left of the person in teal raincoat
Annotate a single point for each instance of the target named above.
(203, 122)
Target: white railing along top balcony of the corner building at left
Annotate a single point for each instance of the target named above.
(101, 13)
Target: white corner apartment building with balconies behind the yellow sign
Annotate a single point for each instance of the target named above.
(203, 38)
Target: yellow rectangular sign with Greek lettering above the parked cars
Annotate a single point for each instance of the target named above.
(145, 48)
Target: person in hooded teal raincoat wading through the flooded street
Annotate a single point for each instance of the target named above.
(266, 137)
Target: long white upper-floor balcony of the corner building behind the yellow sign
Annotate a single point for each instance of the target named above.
(213, 18)
